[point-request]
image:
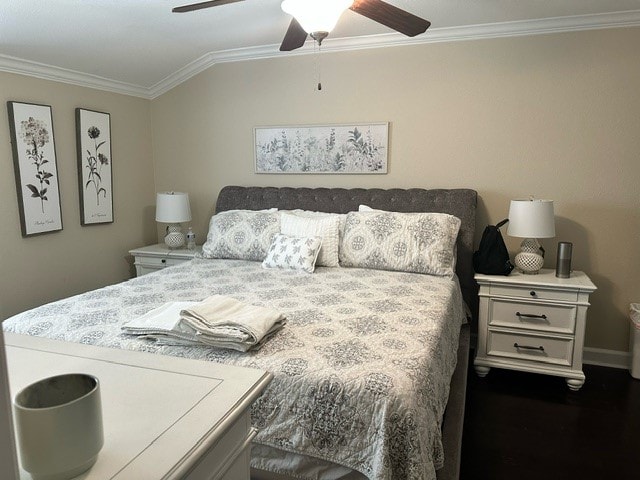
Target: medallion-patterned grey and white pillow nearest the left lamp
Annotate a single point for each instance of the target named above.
(241, 234)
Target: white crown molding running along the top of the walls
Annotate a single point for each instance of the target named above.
(435, 35)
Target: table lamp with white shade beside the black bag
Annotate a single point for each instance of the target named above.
(531, 219)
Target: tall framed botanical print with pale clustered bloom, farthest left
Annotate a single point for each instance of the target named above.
(35, 167)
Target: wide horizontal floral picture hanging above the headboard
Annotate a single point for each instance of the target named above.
(355, 148)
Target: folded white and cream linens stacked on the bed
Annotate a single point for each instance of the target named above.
(217, 321)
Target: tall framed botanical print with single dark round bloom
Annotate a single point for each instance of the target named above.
(95, 180)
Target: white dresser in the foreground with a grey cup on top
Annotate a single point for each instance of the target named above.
(164, 417)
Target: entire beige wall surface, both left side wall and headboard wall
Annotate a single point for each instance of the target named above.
(554, 116)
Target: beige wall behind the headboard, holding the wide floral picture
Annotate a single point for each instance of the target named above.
(555, 116)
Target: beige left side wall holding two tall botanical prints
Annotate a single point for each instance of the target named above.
(47, 267)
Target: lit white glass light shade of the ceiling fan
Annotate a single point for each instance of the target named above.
(316, 15)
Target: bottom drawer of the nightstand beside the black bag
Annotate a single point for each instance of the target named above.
(557, 351)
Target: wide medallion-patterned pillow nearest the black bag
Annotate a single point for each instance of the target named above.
(408, 242)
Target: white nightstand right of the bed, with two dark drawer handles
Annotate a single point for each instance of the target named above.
(533, 323)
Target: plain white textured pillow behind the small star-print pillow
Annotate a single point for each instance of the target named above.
(315, 224)
